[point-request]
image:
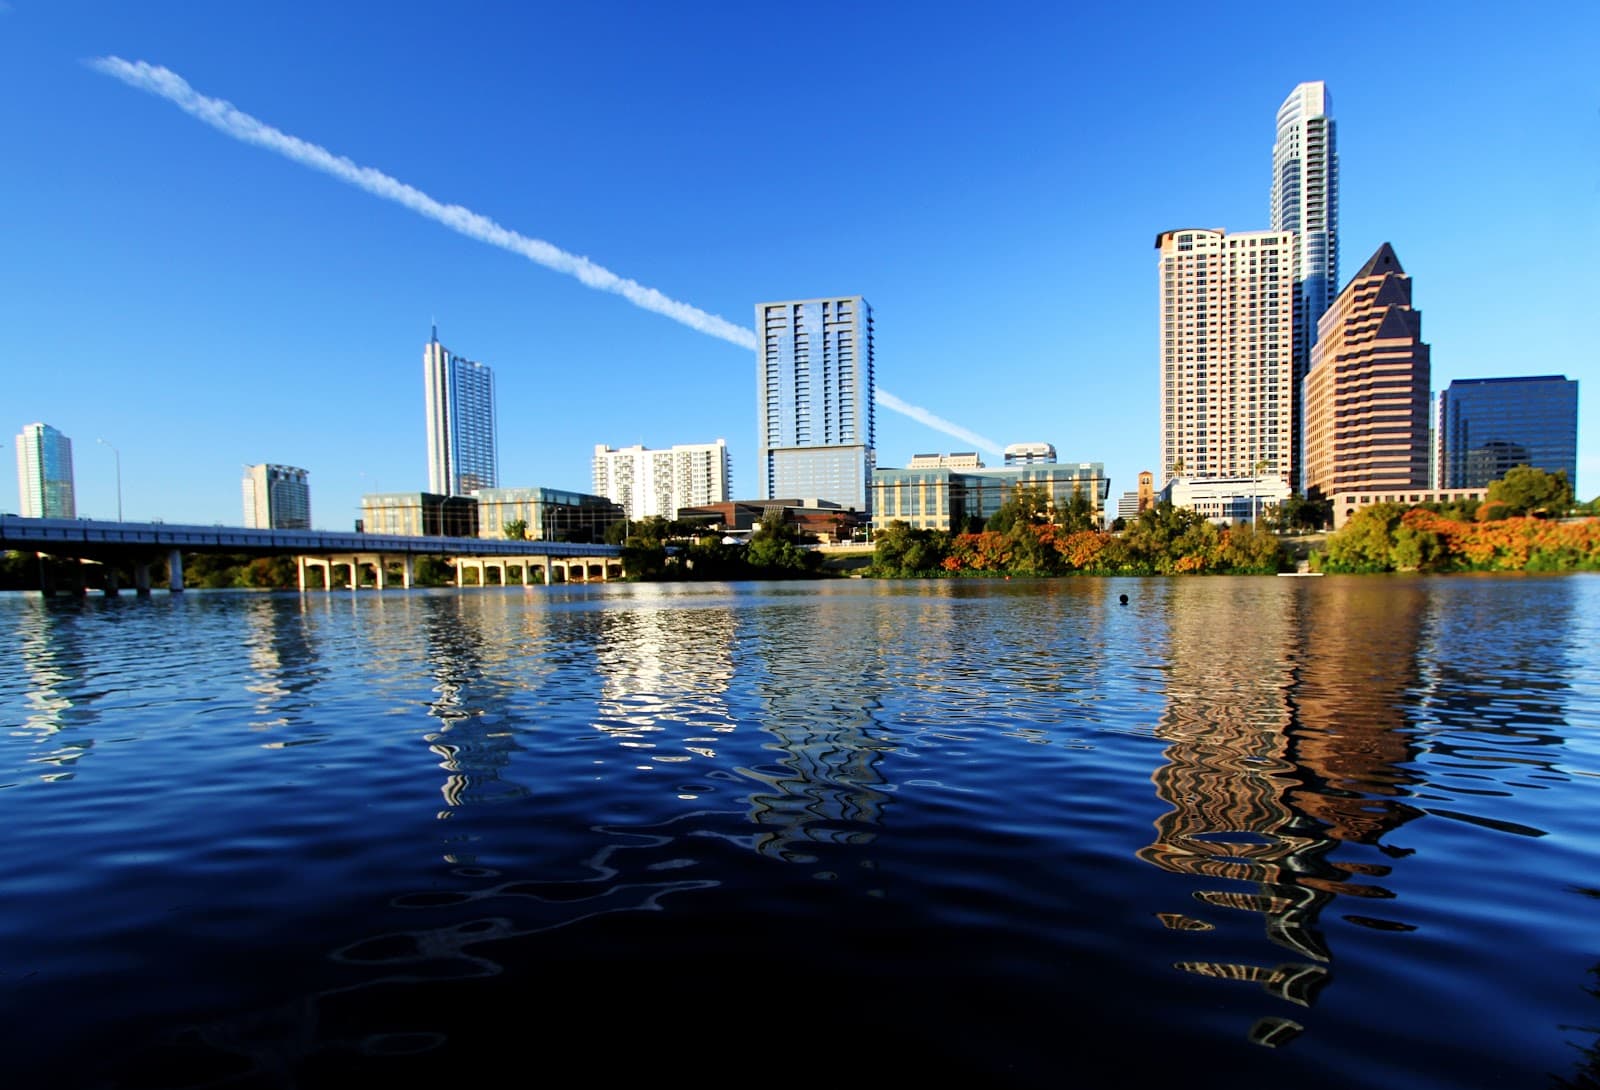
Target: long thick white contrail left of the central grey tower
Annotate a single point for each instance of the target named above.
(249, 130)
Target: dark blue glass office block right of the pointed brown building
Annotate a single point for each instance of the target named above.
(1490, 425)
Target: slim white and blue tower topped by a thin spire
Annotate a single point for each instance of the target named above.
(462, 452)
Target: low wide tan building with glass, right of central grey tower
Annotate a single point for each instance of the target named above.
(945, 499)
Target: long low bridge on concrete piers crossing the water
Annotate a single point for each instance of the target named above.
(142, 543)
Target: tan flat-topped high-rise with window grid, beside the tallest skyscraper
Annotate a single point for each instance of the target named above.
(1228, 353)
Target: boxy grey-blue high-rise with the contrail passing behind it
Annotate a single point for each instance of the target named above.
(815, 411)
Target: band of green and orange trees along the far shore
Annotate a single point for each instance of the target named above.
(1527, 523)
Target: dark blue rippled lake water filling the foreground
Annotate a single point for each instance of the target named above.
(1239, 833)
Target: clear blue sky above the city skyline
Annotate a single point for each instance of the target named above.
(991, 178)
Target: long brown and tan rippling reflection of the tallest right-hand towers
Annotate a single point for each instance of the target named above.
(1286, 740)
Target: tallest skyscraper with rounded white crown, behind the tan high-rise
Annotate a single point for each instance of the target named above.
(1306, 201)
